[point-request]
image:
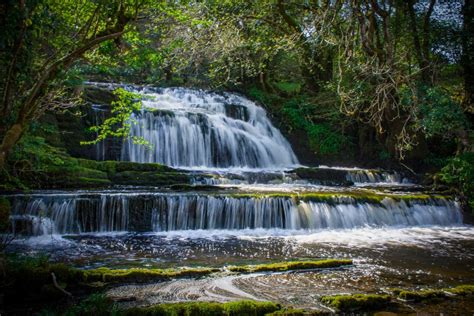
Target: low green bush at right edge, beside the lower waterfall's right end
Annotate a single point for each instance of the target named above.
(459, 174)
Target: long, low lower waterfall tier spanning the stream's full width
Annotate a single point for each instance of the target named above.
(106, 212)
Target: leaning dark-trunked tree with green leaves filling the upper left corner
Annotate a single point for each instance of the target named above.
(41, 42)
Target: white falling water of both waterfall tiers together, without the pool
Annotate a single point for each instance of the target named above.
(232, 137)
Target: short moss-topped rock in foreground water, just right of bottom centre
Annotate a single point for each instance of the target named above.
(356, 302)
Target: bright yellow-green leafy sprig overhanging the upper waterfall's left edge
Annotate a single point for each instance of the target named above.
(121, 121)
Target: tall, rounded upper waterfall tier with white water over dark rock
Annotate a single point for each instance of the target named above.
(195, 128)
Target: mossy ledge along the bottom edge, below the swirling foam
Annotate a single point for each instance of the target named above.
(250, 308)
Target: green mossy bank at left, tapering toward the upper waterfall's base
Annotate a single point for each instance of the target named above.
(40, 165)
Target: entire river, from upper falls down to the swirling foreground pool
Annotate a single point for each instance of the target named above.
(257, 211)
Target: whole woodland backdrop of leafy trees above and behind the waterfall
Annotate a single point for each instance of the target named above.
(391, 66)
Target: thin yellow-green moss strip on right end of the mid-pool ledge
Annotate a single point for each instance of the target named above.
(292, 265)
